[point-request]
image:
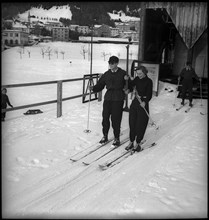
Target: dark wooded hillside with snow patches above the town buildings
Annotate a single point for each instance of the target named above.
(79, 13)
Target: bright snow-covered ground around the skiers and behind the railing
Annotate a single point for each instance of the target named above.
(40, 181)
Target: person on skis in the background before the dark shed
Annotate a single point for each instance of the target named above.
(187, 73)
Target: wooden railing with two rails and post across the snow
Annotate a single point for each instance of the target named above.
(59, 99)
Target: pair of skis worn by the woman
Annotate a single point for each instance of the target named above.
(121, 158)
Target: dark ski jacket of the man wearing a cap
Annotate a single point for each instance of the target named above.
(114, 83)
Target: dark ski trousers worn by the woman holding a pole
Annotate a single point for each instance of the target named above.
(138, 121)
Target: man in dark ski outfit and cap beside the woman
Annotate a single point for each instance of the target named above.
(114, 80)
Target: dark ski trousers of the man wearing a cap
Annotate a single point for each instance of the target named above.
(113, 110)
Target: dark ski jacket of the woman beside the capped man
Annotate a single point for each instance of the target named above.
(143, 87)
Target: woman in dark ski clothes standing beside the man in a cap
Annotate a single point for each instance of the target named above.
(142, 87)
